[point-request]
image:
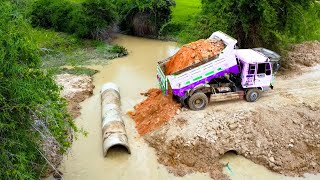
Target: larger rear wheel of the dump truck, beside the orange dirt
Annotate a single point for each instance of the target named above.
(198, 101)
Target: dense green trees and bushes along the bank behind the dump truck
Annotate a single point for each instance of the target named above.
(272, 24)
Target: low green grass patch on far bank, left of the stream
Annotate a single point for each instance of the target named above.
(61, 49)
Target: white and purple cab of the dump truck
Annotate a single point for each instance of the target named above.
(256, 69)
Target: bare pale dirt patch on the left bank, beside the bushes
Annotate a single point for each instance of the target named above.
(75, 90)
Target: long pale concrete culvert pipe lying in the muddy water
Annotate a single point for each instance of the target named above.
(113, 128)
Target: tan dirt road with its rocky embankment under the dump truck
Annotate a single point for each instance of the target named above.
(281, 131)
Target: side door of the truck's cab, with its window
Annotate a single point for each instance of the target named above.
(263, 75)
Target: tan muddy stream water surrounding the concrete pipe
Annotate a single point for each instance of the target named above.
(134, 74)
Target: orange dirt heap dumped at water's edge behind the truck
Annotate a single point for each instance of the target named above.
(154, 111)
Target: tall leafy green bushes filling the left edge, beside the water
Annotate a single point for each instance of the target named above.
(31, 108)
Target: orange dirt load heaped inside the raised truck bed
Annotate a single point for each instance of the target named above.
(193, 53)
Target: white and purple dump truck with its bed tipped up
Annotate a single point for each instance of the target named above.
(232, 74)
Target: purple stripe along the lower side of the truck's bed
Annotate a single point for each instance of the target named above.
(180, 92)
